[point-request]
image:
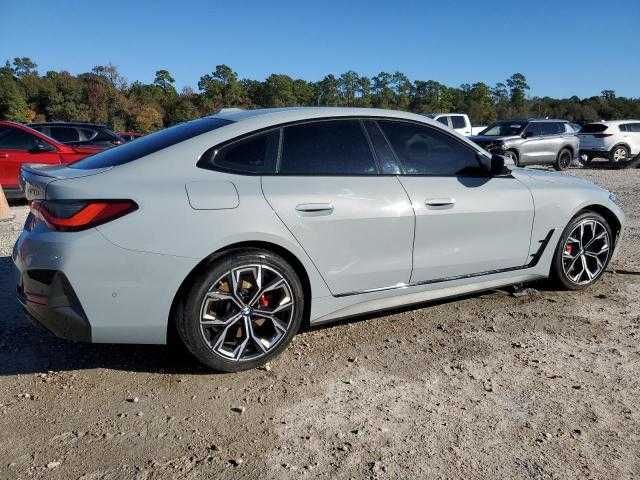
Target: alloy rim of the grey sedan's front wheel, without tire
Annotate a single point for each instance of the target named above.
(586, 252)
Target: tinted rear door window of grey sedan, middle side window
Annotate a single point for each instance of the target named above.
(334, 147)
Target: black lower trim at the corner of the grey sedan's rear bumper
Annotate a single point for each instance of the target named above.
(49, 300)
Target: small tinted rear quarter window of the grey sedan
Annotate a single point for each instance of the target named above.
(255, 154)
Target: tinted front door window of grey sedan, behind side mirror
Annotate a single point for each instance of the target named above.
(427, 151)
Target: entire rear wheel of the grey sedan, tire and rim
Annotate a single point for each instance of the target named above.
(242, 311)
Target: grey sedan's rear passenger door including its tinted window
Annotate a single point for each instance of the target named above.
(354, 223)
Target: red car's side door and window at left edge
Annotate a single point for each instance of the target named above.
(18, 147)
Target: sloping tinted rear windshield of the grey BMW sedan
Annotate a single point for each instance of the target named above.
(149, 144)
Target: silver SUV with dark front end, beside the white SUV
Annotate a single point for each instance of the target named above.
(531, 142)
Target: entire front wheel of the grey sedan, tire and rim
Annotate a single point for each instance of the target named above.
(583, 252)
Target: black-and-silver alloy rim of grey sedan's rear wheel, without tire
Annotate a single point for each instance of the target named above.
(246, 312)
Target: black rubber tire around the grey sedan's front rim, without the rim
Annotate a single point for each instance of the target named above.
(558, 273)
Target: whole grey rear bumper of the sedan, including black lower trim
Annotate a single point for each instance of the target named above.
(82, 287)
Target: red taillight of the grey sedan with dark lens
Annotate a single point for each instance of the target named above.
(72, 216)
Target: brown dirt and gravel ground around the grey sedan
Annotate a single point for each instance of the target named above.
(539, 385)
